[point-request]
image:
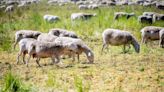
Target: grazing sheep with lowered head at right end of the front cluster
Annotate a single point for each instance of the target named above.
(77, 46)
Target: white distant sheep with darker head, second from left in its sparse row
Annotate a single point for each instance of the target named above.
(83, 16)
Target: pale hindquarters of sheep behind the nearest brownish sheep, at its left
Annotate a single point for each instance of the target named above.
(23, 47)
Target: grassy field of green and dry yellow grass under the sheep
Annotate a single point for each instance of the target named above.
(112, 71)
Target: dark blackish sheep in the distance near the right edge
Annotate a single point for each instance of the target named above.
(147, 19)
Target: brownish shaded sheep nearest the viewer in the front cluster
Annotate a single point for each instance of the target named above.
(39, 50)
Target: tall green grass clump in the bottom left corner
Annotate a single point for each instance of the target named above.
(13, 84)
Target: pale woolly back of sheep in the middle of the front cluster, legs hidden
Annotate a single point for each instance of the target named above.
(44, 37)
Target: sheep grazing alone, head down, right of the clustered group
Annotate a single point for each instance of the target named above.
(117, 37)
